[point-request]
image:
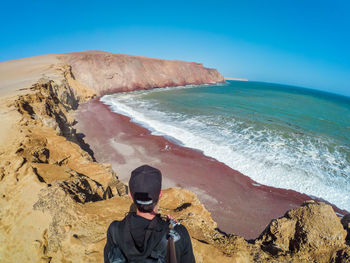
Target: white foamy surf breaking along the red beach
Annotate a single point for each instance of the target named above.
(301, 163)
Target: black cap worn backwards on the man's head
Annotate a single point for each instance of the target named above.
(145, 184)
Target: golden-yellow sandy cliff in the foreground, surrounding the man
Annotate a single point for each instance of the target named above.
(57, 202)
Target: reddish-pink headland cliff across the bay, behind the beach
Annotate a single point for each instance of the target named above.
(107, 72)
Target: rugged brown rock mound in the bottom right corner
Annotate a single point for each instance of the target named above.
(312, 232)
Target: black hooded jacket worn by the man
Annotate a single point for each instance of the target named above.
(137, 238)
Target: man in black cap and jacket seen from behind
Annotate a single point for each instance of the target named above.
(143, 236)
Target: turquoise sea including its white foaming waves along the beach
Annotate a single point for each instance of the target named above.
(278, 135)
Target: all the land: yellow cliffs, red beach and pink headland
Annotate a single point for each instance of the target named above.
(65, 159)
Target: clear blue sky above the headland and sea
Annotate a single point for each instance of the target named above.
(298, 42)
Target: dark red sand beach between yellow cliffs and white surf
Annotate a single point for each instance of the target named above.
(236, 204)
